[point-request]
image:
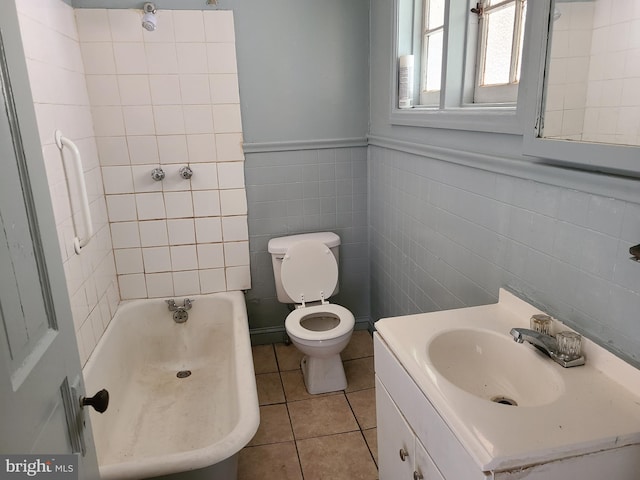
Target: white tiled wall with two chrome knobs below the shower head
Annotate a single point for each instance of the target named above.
(168, 99)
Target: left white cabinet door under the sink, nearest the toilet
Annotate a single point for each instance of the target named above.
(396, 441)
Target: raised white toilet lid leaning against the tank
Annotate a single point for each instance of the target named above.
(309, 271)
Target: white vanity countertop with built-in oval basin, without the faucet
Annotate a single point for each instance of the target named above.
(465, 359)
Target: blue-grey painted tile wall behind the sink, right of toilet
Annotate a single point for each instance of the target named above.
(445, 236)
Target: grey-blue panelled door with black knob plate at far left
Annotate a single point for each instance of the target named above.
(40, 372)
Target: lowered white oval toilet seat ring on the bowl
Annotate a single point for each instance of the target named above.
(295, 328)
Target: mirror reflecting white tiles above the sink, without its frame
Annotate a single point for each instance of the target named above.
(592, 86)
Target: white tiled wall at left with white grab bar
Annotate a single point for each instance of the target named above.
(56, 75)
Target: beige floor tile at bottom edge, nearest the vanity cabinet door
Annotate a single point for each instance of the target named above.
(348, 453)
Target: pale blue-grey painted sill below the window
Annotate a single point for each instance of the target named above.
(494, 119)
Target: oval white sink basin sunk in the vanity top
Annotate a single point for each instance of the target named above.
(493, 367)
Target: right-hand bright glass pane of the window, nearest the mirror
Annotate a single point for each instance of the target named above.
(497, 64)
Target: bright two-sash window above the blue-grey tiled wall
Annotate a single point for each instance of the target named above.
(470, 53)
